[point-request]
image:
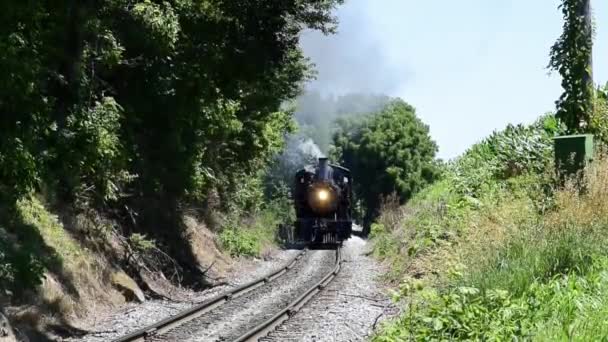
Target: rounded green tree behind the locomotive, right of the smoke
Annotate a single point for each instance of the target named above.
(388, 152)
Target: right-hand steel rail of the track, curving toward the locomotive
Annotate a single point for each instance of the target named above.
(269, 325)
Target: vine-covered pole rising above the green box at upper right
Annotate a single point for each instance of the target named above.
(571, 56)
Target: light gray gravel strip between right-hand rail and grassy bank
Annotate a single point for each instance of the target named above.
(348, 309)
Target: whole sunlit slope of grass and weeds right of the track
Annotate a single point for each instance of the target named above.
(531, 266)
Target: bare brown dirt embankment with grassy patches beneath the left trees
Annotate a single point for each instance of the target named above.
(91, 270)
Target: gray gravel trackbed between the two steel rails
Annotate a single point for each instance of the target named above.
(265, 307)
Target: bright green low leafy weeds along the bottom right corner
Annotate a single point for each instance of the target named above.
(571, 307)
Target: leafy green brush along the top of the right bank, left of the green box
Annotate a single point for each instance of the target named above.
(511, 162)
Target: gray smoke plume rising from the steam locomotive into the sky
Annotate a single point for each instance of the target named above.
(352, 74)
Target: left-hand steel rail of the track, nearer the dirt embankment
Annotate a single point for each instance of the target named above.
(171, 322)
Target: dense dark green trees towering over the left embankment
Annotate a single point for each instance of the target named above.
(139, 107)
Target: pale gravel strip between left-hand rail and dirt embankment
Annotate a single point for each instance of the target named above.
(134, 316)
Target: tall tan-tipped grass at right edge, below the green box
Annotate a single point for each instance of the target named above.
(563, 241)
